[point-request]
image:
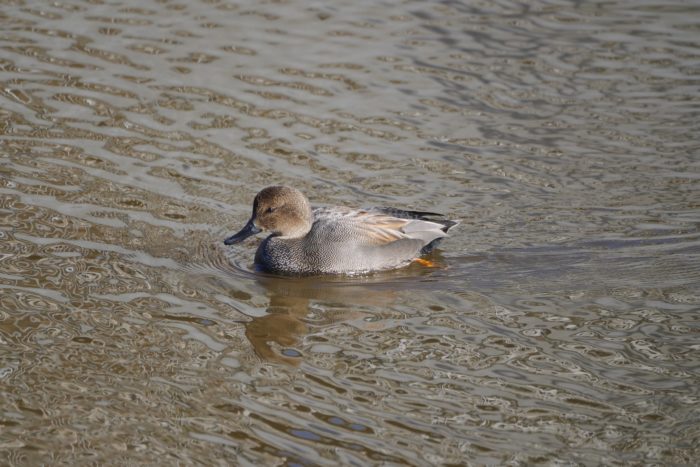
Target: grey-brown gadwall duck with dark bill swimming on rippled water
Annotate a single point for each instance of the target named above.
(336, 240)
